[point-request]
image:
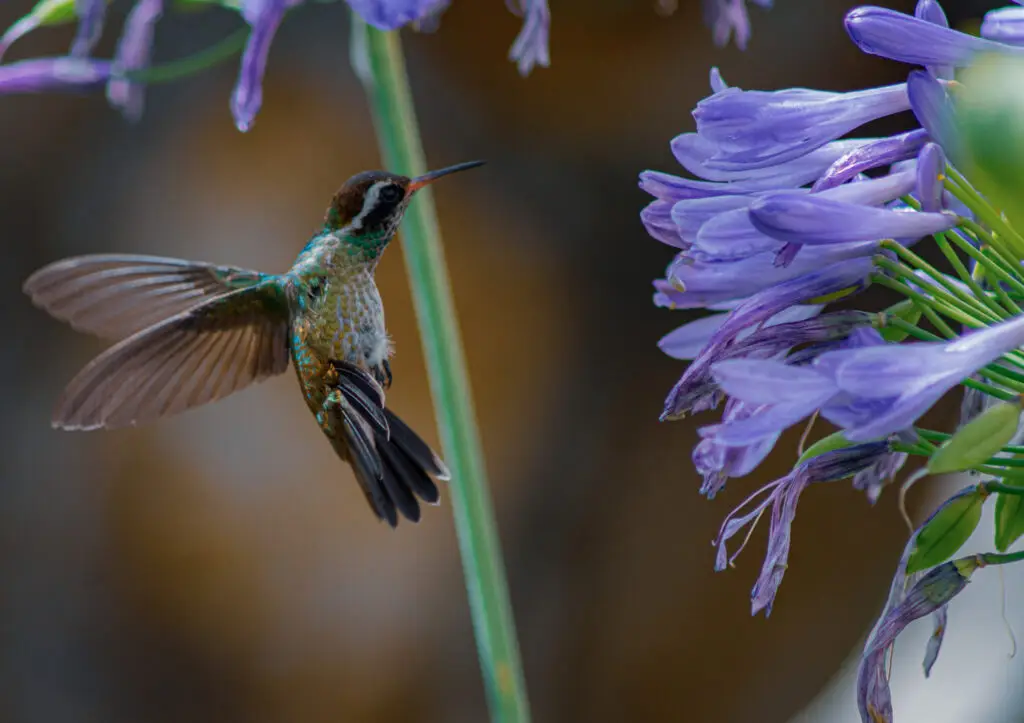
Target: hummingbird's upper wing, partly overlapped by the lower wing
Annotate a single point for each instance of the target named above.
(115, 295)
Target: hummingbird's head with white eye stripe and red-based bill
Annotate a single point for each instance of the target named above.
(372, 204)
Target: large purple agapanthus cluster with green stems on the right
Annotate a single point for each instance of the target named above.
(788, 210)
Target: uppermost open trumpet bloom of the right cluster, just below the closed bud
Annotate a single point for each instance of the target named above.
(756, 130)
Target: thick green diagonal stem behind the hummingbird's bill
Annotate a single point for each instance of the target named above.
(398, 133)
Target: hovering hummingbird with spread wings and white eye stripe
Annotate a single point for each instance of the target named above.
(189, 333)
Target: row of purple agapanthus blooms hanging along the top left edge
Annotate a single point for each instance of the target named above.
(80, 71)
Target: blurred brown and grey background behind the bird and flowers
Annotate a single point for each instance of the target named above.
(223, 566)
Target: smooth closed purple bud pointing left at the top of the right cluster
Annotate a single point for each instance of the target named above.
(881, 32)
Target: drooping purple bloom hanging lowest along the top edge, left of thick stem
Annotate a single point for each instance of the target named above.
(265, 17)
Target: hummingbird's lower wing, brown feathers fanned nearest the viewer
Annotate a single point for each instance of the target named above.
(199, 356)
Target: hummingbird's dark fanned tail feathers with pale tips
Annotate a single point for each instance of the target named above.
(393, 464)
